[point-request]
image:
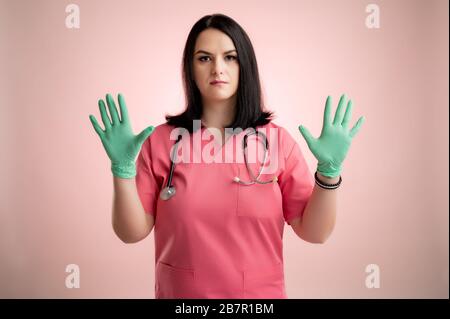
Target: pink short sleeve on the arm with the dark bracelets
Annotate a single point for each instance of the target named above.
(296, 184)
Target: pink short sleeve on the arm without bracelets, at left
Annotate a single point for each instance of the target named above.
(147, 187)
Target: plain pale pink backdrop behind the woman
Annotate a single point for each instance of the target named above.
(56, 189)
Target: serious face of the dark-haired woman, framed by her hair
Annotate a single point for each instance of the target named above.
(215, 58)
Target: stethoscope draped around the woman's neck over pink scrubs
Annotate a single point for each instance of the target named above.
(169, 191)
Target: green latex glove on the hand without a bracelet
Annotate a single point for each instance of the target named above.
(121, 145)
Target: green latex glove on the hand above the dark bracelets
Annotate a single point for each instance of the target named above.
(334, 142)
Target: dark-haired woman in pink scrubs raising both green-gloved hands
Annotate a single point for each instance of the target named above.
(217, 235)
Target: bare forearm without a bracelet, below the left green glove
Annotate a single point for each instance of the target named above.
(128, 217)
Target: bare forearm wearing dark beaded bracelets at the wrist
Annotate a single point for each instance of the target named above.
(320, 213)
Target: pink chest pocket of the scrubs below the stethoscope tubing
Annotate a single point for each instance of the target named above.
(258, 200)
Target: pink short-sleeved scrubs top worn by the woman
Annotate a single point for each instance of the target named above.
(216, 238)
